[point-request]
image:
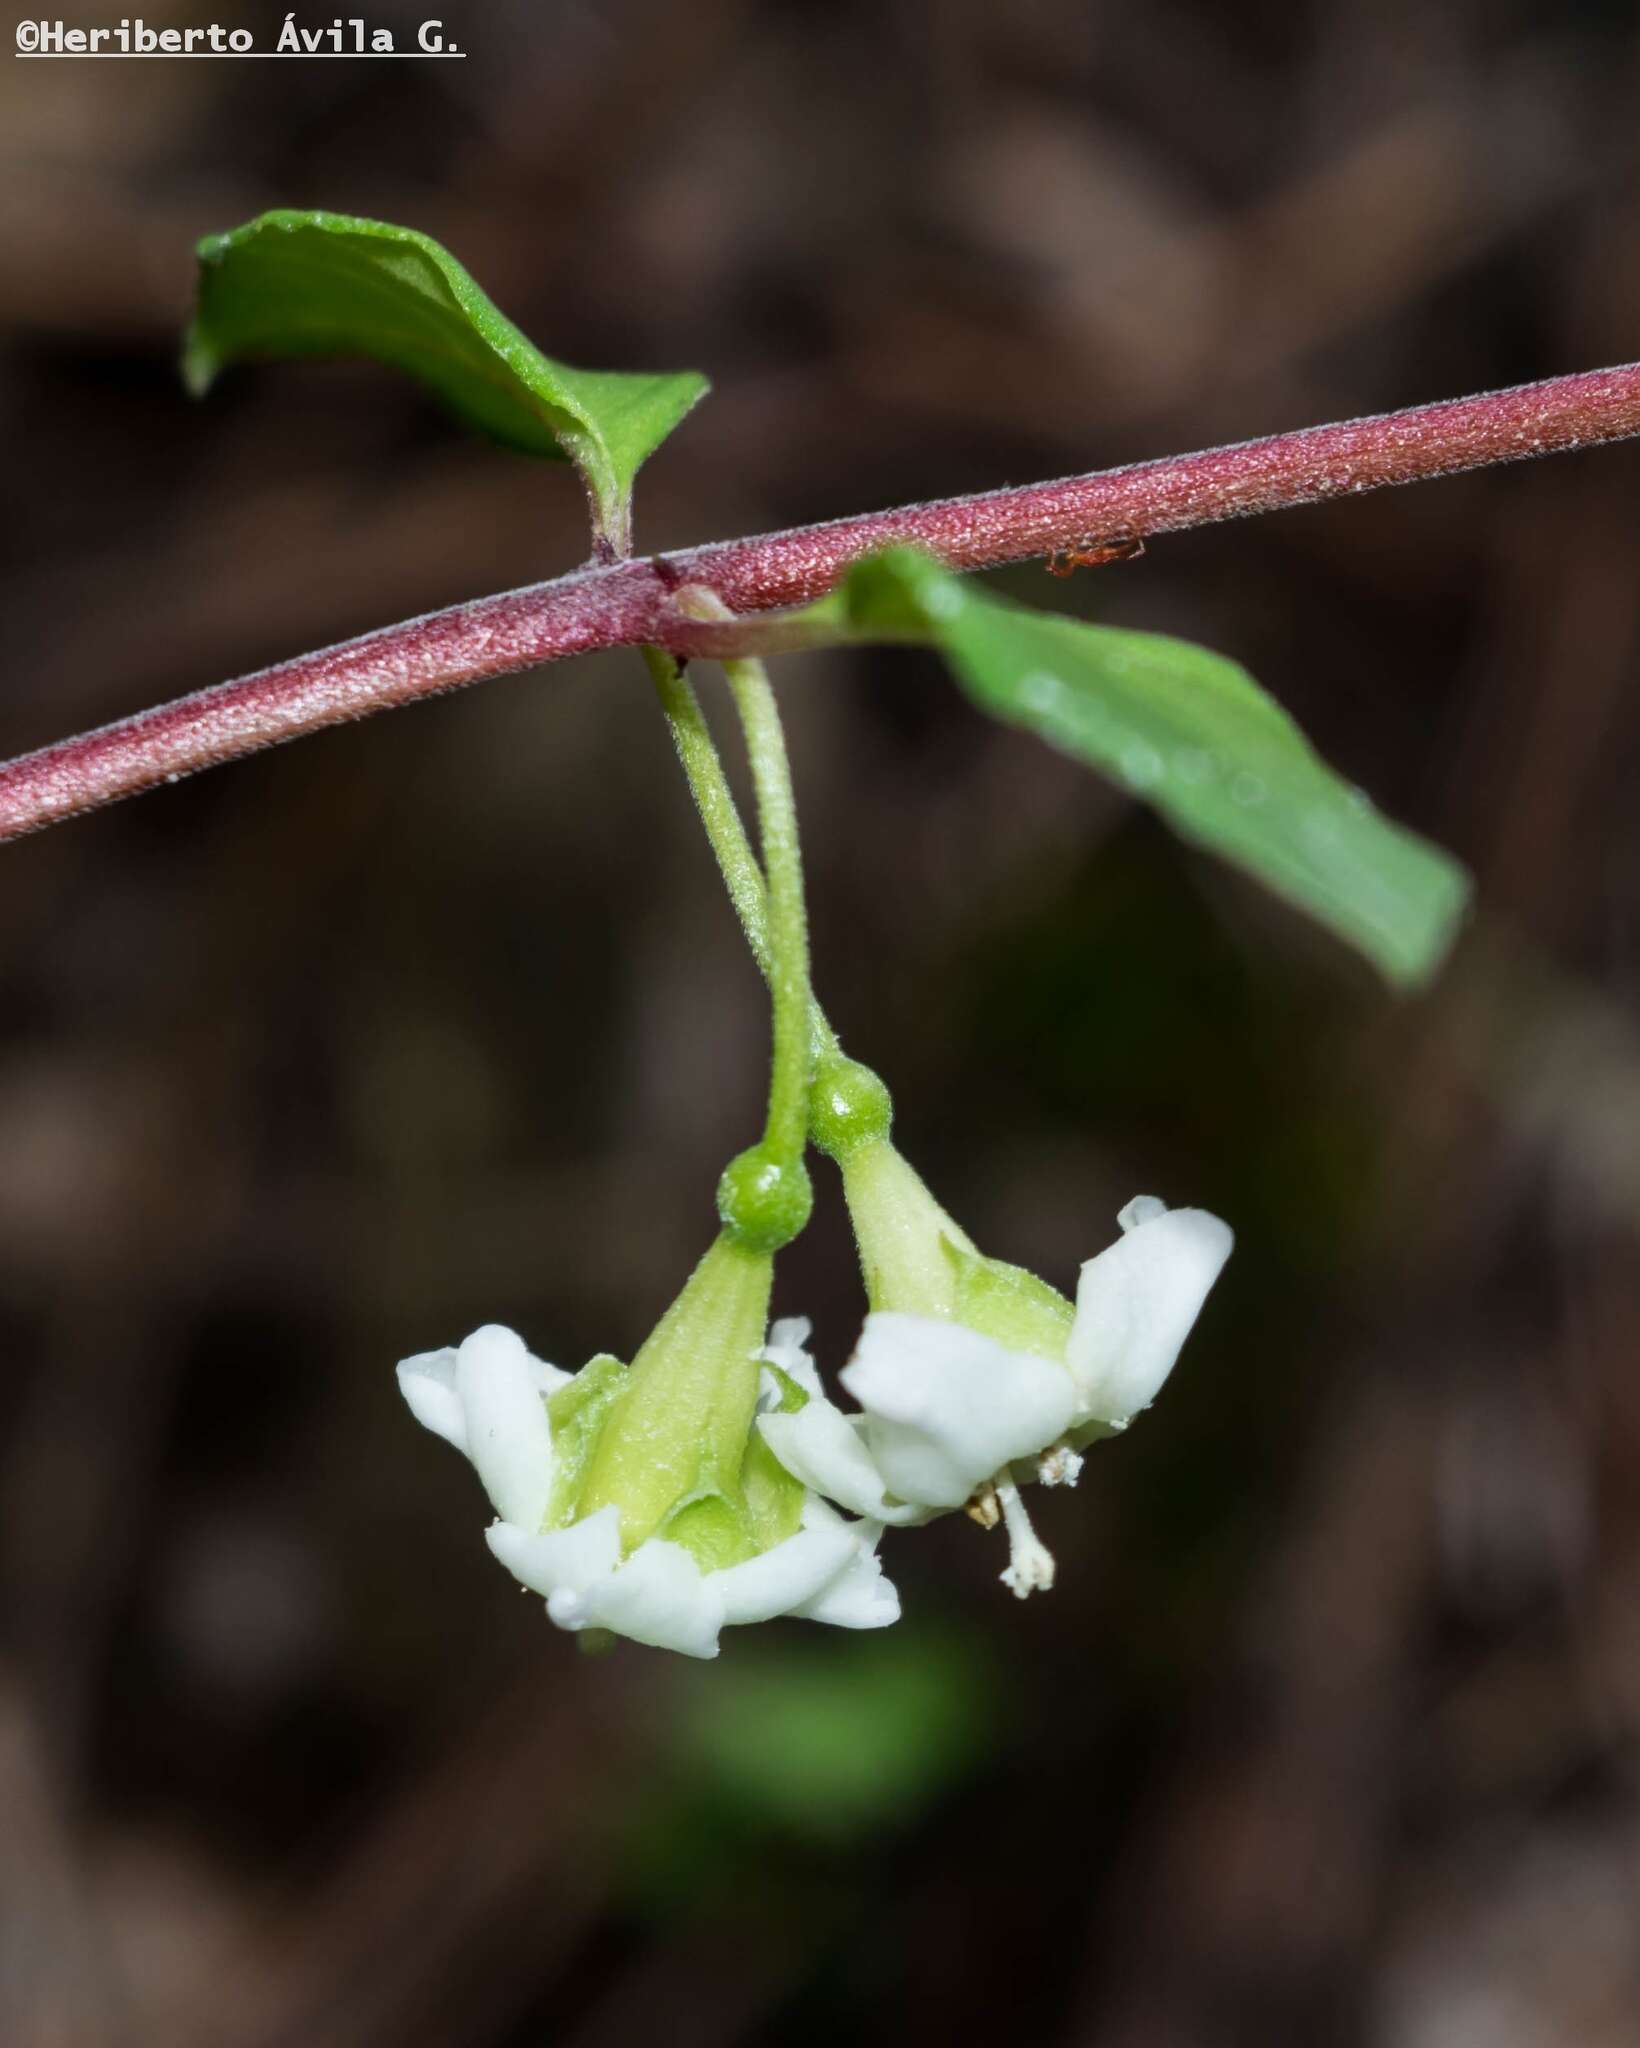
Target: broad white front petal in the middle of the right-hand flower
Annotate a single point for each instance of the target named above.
(949, 1408)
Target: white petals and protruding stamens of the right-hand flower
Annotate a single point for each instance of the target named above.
(949, 1414)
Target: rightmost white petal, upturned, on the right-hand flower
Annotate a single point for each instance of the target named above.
(1135, 1308)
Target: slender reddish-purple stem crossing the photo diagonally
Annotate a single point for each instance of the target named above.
(632, 603)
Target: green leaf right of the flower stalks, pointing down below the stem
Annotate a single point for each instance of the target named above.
(1195, 736)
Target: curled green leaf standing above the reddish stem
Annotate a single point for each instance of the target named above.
(331, 286)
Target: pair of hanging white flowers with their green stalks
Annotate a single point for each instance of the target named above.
(711, 1482)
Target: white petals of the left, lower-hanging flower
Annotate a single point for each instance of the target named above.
(488, 1398)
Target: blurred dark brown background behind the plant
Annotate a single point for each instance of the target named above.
(1330, 1734)
